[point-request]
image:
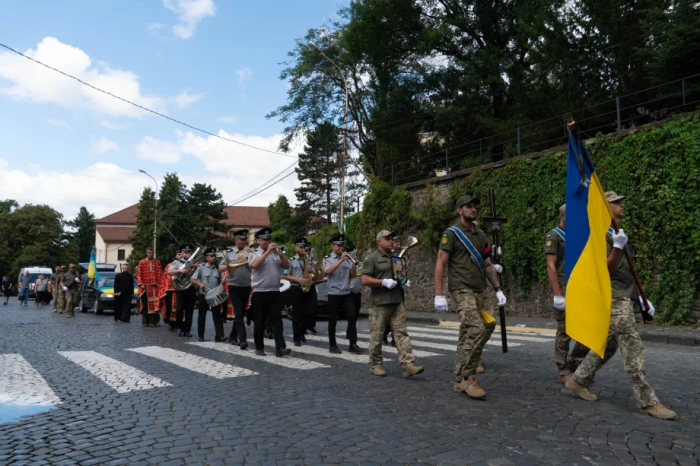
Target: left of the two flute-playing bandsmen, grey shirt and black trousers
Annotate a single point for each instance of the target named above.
(265, 261)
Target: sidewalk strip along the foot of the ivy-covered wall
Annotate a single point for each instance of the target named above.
(652, 333)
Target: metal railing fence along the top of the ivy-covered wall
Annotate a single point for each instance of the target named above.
(625, 111)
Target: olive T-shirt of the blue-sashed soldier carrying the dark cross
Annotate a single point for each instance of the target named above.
(462, 271)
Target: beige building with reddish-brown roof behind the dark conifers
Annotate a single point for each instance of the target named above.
(112, 243)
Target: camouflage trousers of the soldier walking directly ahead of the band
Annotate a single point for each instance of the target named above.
(379, 318)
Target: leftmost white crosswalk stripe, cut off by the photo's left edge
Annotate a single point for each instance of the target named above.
(22, 385)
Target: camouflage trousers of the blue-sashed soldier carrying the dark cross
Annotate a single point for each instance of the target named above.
(473, 333)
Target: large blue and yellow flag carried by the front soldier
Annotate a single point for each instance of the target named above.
(588, 216)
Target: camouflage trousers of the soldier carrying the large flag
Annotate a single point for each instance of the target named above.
(623, 334)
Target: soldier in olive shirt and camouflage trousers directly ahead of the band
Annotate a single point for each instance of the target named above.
(386, 305)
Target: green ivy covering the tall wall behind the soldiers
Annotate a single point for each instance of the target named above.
(658, 170)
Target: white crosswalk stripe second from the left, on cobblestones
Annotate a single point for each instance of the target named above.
(121, 377)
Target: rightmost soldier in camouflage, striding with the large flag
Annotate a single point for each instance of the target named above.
(623, 328)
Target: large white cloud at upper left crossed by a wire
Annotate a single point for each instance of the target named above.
(31, 82)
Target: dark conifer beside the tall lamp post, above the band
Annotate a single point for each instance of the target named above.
(317, 170)
